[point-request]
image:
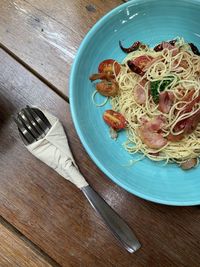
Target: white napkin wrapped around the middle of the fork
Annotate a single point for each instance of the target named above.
(54, 150)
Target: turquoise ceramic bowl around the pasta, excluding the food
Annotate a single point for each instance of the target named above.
(150, 21)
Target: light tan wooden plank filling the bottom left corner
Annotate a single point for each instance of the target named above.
(14, 251)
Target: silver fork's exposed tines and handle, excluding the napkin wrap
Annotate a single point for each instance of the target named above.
(33, 125)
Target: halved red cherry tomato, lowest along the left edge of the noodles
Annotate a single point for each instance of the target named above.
(114, 119)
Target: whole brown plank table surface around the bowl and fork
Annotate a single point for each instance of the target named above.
(46, 221)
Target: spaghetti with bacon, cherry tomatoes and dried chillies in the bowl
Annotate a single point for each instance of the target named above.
(155, 97)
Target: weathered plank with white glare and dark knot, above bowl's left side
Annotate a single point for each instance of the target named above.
(46, 36)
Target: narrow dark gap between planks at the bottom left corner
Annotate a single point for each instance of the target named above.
(29, 243)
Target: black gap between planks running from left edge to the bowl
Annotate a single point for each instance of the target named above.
(35, 73)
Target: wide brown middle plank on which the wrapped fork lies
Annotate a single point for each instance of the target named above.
(55, 215)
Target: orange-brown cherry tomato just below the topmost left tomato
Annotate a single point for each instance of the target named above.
(107, 88)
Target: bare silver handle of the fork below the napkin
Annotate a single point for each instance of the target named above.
(117, 225)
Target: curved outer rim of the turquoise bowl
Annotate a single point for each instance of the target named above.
(83, 44)
